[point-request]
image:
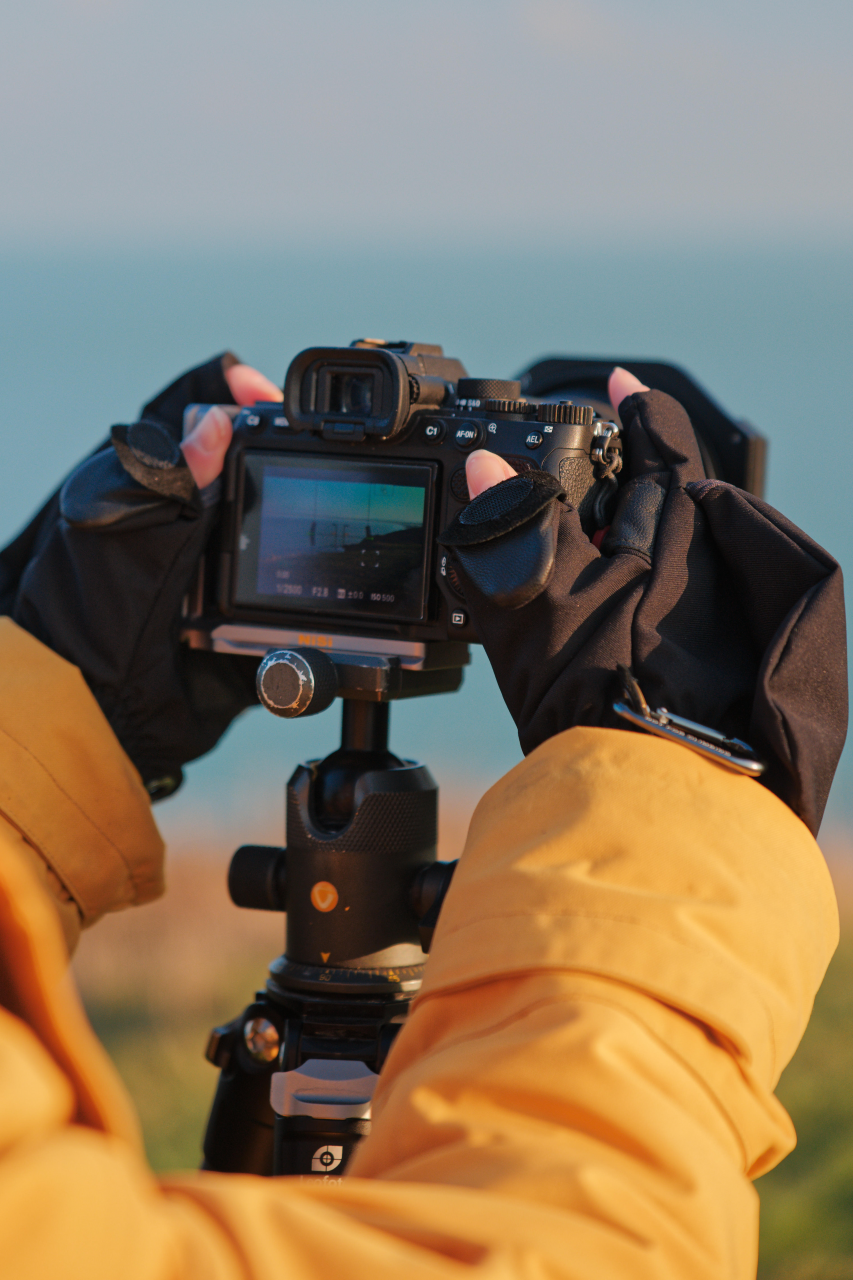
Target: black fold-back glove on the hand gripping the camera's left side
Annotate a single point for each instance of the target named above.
(101, 575)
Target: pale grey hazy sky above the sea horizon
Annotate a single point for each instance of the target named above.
(481, 122)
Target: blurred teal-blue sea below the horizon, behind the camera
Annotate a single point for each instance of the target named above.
(86, 336)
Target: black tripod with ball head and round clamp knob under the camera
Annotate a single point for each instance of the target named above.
(362, 889)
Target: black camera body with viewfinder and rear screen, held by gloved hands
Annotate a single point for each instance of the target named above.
(334, 501)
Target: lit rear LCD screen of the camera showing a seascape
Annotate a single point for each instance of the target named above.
(335, 537)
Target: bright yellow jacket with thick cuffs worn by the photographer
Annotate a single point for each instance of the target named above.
(624, 964)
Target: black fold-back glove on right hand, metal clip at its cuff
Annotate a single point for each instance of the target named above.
(724, 611)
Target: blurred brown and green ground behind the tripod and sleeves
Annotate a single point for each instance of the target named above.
(158, 979)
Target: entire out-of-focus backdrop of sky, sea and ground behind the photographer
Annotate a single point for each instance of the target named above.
(512, 179)
